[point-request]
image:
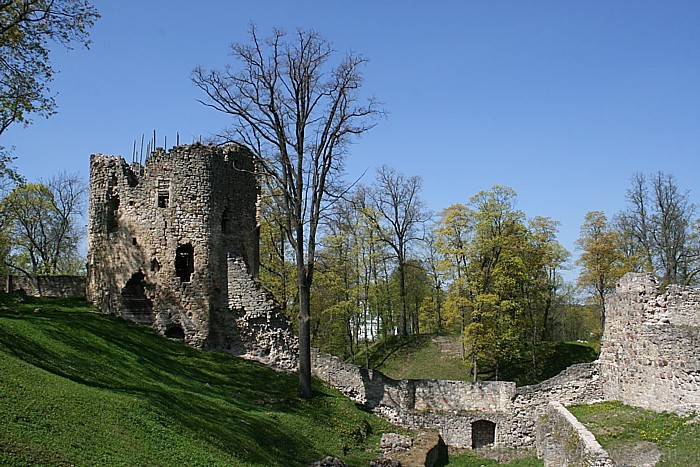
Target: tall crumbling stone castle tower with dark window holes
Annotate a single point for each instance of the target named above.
(173, 244)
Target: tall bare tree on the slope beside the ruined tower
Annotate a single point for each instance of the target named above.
(297, 114)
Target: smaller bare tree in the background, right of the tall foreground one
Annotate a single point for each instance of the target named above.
(396, 213)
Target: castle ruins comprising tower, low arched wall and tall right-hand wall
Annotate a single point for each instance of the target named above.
(173, 244)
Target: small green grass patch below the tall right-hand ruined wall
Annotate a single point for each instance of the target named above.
(626, 432)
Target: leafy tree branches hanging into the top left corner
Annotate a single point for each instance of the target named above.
(27, 28)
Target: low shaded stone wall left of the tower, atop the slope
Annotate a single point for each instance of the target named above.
(46, 286)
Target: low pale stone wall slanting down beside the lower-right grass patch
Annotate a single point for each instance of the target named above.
(564, 441)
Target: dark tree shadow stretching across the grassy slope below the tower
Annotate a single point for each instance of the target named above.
(222, 401)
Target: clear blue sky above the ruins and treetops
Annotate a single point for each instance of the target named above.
(561, 101)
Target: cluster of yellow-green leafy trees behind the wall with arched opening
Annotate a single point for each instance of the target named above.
(504, 279)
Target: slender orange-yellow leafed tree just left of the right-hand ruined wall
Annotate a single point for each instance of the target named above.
(601, 261)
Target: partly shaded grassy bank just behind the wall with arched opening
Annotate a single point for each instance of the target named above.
(437, 357)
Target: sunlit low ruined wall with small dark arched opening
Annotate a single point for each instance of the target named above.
(454, 408)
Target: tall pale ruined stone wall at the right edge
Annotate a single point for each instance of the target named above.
(649, 352)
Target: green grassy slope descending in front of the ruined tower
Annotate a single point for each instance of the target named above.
(82, 388)
